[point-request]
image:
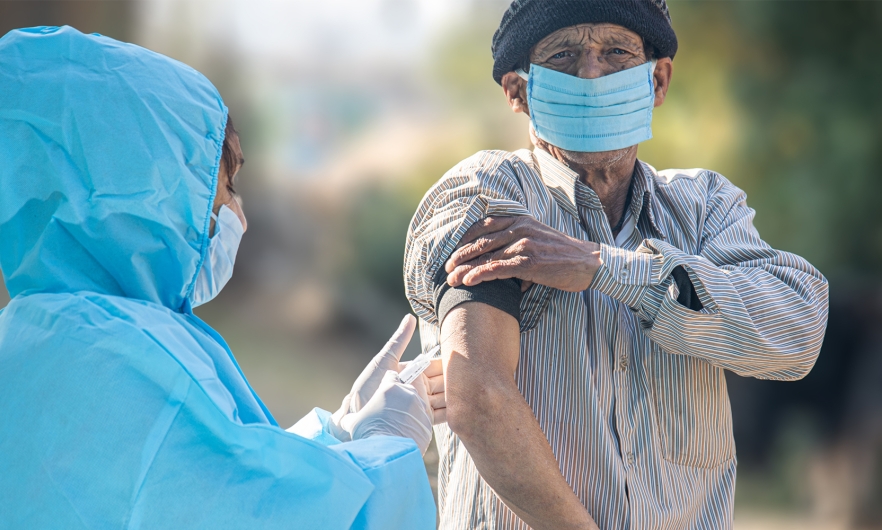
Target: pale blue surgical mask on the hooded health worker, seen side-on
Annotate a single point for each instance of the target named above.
(217, 268)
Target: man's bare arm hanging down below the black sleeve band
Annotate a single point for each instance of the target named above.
(494, 422)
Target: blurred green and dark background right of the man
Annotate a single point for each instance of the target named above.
(797, 84)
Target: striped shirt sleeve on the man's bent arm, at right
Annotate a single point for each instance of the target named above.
(763, 311)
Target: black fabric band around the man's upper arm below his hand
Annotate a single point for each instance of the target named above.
(504, 295)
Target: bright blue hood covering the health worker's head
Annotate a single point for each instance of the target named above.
(110, 155)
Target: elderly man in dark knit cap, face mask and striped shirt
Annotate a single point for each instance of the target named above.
(588, 304)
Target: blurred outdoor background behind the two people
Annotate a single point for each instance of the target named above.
(349, 110)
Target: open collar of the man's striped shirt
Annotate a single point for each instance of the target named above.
(570, 192)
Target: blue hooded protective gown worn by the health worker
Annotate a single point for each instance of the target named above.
(120, 408)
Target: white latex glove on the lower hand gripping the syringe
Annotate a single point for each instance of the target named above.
(396, 409)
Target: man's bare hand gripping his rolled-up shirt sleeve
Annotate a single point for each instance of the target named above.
(521, 247)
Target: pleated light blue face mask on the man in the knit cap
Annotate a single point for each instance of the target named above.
(591, 115)
